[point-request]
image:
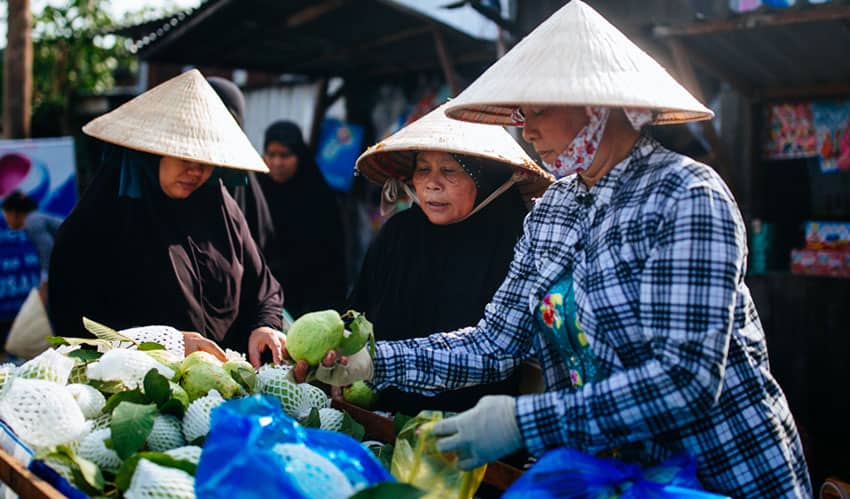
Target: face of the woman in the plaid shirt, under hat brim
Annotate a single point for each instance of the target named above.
(550, 129)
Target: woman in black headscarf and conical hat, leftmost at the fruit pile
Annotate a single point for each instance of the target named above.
(156, 238)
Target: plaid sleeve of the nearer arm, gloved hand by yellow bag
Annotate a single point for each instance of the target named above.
(687, 299)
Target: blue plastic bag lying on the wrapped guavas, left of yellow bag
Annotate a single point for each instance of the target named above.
(239, 457)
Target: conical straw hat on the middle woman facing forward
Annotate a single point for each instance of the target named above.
(394, 156)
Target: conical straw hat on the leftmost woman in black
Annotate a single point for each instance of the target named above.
(183, 118)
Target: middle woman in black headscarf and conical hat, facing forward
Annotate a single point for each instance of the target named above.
(434, 266)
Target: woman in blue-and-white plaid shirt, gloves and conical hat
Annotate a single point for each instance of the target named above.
(628, 284)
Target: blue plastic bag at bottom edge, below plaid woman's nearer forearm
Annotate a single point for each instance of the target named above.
(570, 473)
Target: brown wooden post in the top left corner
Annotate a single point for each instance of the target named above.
(17, 84)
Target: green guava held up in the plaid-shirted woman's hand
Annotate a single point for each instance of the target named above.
(313, 334)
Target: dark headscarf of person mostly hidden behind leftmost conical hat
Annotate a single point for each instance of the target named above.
(249, 196)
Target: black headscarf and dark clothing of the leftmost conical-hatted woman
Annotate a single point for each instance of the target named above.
(140, 258)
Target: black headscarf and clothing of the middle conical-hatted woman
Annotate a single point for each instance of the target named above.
(420, 278)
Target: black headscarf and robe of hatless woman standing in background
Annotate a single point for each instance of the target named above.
(308, 253)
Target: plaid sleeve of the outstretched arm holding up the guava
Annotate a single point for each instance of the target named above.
(485, 353)
